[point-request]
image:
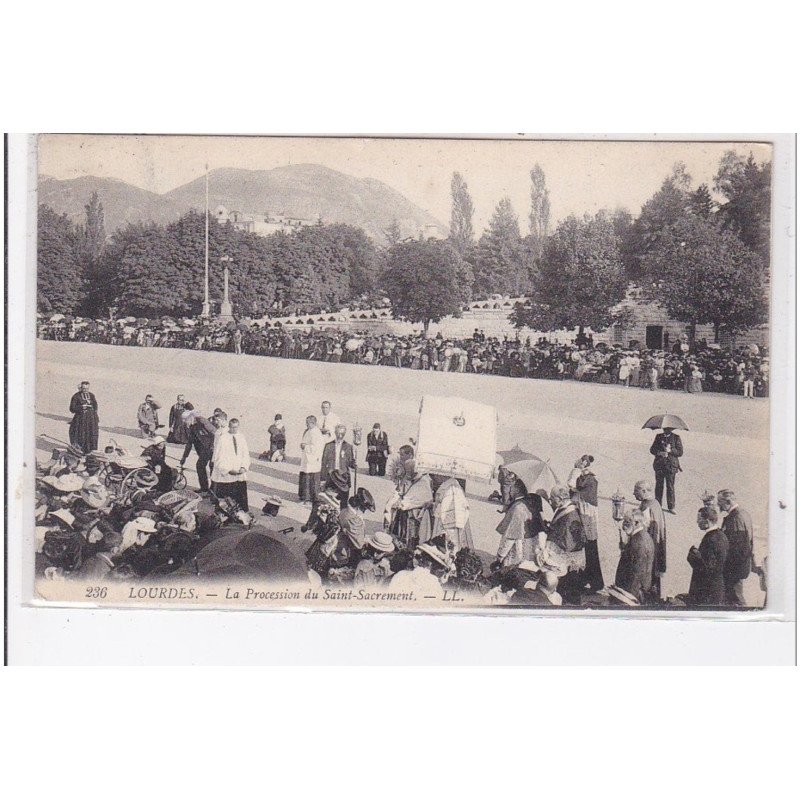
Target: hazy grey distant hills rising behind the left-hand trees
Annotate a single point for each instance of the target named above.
(303, 190)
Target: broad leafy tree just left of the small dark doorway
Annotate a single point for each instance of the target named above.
(580, 279)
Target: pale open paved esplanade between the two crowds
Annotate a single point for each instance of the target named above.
(727, 446)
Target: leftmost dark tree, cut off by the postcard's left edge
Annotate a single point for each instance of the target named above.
(59, 274)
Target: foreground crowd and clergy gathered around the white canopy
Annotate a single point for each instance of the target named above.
(106, 513)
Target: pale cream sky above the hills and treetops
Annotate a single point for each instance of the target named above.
(582, 176)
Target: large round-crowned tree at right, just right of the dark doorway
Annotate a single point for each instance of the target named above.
(703, 274)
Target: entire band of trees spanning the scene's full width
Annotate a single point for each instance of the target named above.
(703, 257)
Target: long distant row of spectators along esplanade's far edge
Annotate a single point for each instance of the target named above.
(690, 367)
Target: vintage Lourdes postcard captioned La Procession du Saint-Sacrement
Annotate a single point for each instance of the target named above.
(403, 374)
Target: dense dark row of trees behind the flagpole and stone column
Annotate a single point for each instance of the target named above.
(151, 270)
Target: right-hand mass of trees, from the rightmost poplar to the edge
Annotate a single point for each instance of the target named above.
(703, 261)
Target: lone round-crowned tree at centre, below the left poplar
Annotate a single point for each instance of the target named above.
(424, 281)
